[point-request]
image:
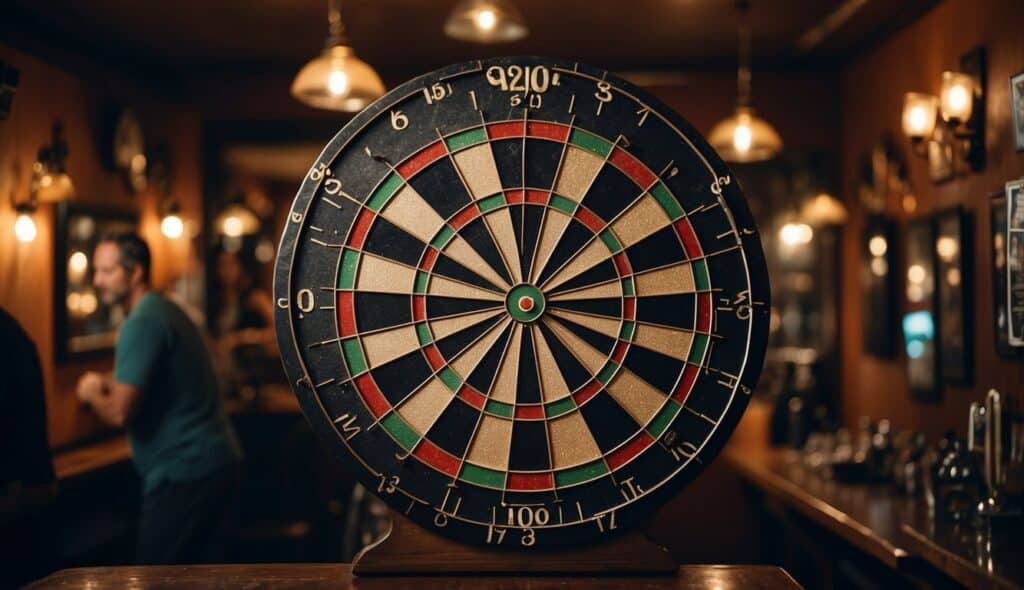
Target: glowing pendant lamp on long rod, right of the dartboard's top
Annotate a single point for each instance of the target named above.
(744, 137)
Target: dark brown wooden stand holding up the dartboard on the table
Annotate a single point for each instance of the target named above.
(409, 550)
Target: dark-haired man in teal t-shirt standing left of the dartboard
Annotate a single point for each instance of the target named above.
(165, 393)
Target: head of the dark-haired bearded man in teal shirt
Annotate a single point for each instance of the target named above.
(121, 266)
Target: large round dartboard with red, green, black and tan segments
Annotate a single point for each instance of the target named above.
(523, 301)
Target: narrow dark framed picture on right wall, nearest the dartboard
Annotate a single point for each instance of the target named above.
(879, 274)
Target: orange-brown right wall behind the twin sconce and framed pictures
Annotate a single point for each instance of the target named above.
(873, 89)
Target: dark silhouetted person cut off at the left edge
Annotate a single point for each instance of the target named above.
(28, 485)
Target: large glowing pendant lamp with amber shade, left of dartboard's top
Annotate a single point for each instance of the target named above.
(337, 80)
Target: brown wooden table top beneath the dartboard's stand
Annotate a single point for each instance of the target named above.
(340, 576)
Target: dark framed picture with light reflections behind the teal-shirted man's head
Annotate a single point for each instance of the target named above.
(83, 323)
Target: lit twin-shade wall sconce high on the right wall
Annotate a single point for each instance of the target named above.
(960, 108)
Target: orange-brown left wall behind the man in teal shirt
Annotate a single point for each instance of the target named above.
(49, 93)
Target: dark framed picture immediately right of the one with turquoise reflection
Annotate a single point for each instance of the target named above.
(954, 290)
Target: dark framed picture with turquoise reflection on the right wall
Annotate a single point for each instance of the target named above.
(920, 323)
